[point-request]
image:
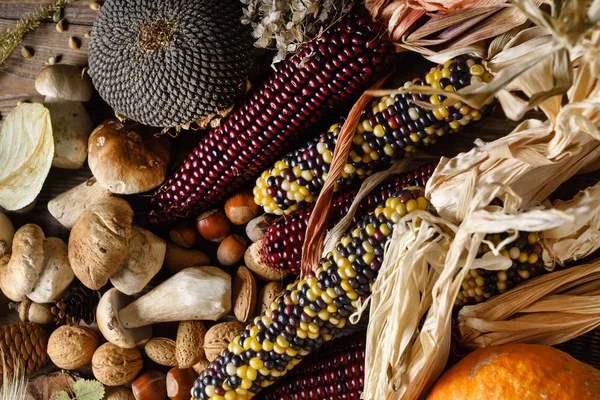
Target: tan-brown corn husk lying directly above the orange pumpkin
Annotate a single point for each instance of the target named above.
(549, 310)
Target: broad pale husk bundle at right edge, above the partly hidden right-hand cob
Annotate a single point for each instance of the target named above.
(533, 160)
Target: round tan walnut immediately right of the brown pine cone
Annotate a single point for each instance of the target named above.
(72, 347)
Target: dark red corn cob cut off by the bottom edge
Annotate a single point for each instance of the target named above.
(335, 373)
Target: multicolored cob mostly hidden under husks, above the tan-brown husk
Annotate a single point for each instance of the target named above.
(527, 262)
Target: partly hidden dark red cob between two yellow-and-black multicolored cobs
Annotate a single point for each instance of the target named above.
(281, 245)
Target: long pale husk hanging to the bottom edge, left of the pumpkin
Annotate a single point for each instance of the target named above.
(422, 274)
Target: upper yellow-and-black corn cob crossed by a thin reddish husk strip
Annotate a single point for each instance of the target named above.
(389, 128)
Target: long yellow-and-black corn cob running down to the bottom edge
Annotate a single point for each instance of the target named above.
(309, 312)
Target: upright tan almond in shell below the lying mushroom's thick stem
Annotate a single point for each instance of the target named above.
(189, 344)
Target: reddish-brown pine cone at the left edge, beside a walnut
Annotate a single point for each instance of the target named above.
(23, 346)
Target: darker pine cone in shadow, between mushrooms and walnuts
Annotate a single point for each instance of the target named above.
(77, 304)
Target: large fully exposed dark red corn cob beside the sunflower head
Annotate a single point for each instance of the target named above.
(336, 67)
